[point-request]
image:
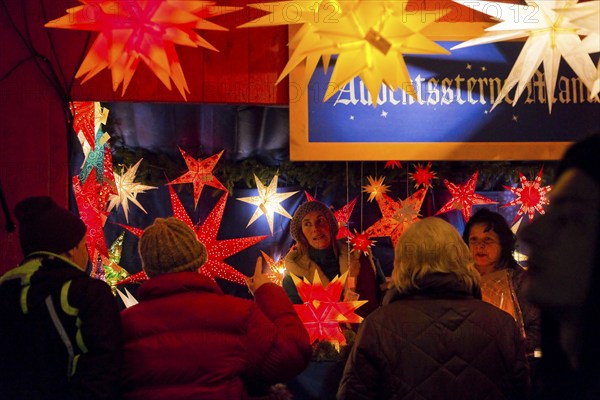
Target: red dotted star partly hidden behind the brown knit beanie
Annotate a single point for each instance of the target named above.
(218, 250)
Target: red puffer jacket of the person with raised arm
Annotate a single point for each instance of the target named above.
(186, 339)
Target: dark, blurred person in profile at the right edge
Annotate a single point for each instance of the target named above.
(564, 274)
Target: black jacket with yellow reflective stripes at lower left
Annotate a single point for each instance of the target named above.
(60, 333)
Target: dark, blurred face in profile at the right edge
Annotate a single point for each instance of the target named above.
(563, 243)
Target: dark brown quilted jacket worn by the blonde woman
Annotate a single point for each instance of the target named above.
(440, 342)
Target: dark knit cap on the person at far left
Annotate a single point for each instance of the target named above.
(45, 226)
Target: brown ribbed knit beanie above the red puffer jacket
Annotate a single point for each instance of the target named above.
(169, 245)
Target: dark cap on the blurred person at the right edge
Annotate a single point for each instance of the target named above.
(583, 155)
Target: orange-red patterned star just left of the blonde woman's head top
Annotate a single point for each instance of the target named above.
(396, 215)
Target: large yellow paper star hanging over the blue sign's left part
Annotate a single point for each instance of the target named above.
(370, 38)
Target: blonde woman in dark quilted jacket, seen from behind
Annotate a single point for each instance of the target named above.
(434, 338)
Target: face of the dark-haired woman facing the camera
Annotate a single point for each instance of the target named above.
(485, 248)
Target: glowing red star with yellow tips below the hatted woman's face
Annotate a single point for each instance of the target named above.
(322, 311)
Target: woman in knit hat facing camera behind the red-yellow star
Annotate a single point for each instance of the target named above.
(314, 228)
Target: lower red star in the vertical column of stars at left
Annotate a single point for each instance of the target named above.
(91, 203)
